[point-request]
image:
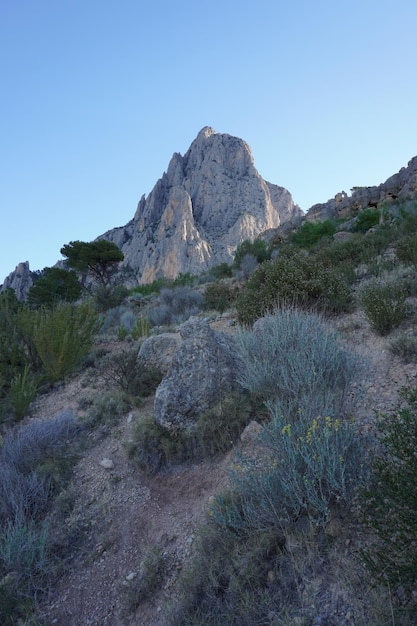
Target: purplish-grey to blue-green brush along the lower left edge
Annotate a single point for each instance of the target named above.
(35, 462)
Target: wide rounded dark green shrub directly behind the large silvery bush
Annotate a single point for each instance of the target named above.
(292, 279)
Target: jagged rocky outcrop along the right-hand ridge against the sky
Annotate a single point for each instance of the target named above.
(402, 186)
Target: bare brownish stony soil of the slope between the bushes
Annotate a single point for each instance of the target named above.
(122, 512)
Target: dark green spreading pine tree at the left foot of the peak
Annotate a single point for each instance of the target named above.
(98, 258)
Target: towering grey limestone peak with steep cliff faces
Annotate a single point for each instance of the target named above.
(208, 201)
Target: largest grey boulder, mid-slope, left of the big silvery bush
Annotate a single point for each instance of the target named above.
(202, 371)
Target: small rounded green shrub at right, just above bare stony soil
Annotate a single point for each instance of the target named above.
(384, 304)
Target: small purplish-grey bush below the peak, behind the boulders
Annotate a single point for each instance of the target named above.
(175, 305)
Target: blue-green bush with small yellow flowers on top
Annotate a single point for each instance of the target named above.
(304, 468)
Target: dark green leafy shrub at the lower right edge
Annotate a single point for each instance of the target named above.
(389, 501)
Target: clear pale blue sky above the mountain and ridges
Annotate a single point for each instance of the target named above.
(96, 96)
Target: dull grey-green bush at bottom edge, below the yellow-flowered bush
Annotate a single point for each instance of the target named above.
(238, 583)
